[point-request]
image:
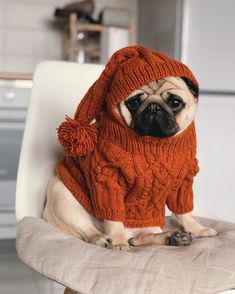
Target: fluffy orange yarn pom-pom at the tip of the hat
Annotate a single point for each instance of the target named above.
(77, 140)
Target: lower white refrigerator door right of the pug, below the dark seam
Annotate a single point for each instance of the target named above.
(214, 184)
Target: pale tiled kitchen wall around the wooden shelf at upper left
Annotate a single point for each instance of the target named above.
(29, 33)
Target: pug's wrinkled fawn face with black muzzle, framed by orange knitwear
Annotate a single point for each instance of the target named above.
(161, 108)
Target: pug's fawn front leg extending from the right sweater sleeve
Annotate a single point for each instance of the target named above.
(190, 225)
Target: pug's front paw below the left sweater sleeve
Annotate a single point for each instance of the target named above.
(116, 232)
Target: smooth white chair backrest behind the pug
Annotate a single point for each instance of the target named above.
(57, 89)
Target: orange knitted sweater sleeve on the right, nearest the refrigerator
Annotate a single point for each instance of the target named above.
(181, 201)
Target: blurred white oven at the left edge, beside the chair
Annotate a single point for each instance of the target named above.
(14, 97)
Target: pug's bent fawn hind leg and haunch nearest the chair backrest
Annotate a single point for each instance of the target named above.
(65, 212)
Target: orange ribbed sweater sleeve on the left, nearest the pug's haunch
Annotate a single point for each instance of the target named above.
(108, 191)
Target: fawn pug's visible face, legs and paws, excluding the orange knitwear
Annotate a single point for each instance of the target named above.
(162, 108)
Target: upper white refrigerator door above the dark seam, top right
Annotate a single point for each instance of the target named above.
(208, 43)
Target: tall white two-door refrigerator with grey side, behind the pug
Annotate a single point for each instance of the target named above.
(201, 33)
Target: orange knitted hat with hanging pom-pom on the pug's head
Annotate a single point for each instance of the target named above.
(127, 70)
